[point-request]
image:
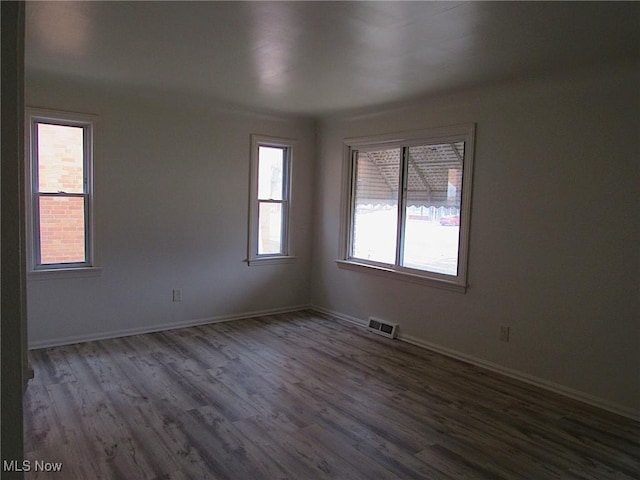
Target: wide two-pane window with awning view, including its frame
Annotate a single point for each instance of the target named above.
(409, 204)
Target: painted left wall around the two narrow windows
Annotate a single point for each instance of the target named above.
(172, 193)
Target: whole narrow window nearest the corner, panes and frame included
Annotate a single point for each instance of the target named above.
(270, 203)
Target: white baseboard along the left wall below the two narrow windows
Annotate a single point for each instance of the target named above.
(127, 332)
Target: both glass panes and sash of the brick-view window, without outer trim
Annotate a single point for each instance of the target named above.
(61, 189)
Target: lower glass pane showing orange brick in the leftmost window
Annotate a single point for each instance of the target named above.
(62, 238)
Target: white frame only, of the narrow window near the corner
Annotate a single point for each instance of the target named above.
(286, 256)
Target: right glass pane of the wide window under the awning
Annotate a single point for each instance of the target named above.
(432, 221)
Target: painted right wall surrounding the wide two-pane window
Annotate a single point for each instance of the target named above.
(554, 232)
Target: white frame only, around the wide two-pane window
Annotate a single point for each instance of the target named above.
(452, 134)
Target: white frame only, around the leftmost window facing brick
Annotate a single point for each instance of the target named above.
(88, 122)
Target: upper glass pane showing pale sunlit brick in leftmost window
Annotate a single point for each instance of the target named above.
(60, 158)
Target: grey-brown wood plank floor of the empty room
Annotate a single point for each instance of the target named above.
(302, 396)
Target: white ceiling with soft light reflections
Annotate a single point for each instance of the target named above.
(315, 58)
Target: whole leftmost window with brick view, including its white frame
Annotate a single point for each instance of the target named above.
(60, 200)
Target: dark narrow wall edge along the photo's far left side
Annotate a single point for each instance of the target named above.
(13, 348)
